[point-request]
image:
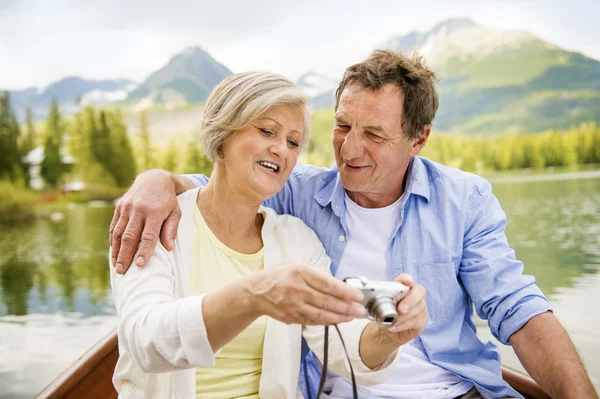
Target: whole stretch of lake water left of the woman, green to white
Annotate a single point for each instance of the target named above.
(55, 299)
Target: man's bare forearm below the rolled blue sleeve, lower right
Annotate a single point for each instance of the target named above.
(549, 356)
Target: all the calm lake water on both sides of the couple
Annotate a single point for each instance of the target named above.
(55, 298)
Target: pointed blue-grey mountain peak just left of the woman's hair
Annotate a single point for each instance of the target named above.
(188, 77)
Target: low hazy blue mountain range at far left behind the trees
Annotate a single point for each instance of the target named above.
(71, 93)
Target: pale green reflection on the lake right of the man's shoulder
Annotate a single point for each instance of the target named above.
(554, 228)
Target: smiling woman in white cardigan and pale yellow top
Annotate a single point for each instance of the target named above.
(222, 315)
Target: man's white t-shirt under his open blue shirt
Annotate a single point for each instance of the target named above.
(370, 231)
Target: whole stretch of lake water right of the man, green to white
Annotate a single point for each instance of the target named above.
(554, 227)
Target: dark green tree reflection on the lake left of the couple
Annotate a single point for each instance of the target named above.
(70, 255)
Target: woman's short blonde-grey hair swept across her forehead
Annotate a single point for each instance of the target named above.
(240, 99)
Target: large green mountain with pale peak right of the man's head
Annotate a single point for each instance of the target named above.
(494, 81)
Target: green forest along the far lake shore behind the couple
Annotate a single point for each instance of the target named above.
(95, 147)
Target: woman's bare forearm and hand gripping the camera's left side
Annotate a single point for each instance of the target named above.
(291, 293)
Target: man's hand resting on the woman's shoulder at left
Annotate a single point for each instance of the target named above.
(147, 211)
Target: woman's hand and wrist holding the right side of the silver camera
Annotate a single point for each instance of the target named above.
(377, 342)
